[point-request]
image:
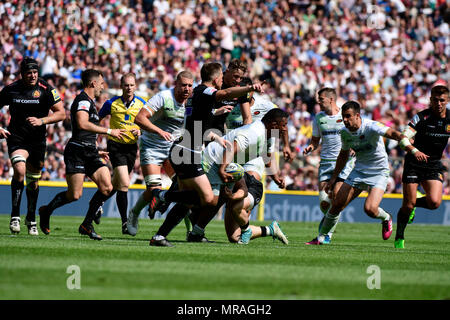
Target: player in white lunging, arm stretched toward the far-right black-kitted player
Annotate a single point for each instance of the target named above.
(371, 171)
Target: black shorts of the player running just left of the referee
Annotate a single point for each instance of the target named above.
(82, 159)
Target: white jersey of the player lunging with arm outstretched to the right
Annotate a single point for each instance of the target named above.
(367, 142)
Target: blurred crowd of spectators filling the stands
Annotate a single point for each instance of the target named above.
(385, 54)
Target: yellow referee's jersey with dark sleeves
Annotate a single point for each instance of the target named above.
(122, 116)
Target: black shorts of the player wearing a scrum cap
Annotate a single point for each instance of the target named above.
(35, 149)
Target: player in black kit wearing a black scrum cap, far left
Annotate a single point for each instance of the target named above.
(30, 99)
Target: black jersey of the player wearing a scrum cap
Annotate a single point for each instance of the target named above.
(25, 101)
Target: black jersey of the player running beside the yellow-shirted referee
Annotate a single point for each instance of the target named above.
(83, 103)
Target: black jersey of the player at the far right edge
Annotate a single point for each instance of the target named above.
(431, 137)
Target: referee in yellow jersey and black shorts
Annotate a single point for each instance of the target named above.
(122, 152)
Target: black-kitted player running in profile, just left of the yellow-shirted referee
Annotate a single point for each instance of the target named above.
(82, 158)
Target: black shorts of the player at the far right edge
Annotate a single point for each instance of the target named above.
(413, 173)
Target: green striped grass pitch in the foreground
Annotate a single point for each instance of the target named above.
(125, 267)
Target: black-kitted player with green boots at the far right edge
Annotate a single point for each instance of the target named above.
(430, 130)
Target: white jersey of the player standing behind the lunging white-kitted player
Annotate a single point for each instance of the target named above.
(328, 128)
